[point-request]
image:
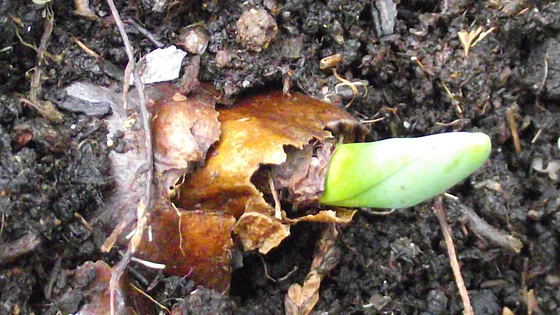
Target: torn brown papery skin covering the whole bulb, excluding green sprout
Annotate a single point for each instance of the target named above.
(286, 136)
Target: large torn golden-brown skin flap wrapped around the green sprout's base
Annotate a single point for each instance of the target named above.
(257, 131)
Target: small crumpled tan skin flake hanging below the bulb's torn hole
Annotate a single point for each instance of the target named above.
(257, 230)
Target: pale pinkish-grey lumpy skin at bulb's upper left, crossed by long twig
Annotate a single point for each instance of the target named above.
(183, 129)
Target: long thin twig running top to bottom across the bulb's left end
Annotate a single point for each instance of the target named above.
(145, 116)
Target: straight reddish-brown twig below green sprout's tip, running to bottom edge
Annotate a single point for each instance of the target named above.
(440, 214)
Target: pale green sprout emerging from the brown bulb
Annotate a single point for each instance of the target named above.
(398, 173)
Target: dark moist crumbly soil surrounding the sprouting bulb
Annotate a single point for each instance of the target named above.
(55, 176)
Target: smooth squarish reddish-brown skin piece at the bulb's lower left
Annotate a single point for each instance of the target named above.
(193, 243)
